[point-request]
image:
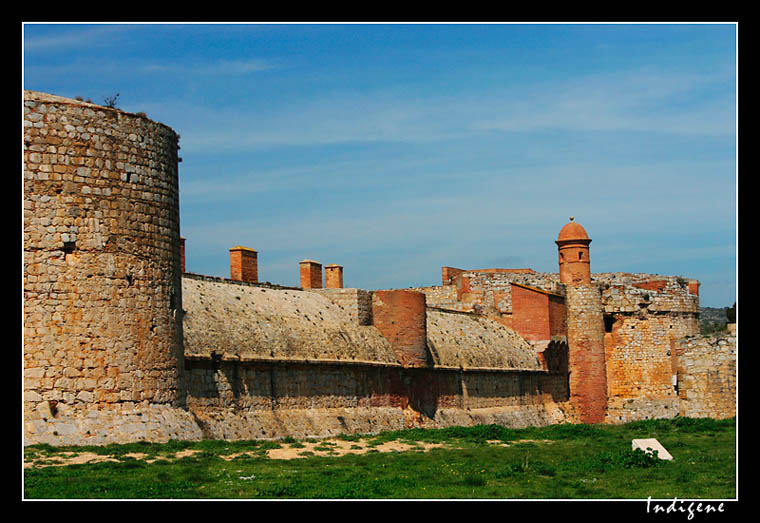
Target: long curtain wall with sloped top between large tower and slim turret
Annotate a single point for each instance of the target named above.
(257, 366)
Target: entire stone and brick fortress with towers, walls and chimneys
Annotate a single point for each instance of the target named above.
(121, 344)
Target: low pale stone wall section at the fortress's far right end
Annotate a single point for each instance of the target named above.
(707, 376)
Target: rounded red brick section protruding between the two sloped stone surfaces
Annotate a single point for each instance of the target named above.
(400, 316)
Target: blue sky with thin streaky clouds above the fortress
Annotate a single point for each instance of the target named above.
(396, 149)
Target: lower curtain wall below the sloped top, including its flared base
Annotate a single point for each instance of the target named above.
(238, 400)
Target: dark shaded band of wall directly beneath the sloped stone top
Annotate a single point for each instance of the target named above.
(269, 386)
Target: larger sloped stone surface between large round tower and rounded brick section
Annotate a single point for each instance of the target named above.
(253, 322)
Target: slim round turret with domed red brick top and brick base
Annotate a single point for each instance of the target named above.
(585, 325)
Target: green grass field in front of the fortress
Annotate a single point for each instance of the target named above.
(556, 462)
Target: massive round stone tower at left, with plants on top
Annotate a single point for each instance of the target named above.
(102, 288)
